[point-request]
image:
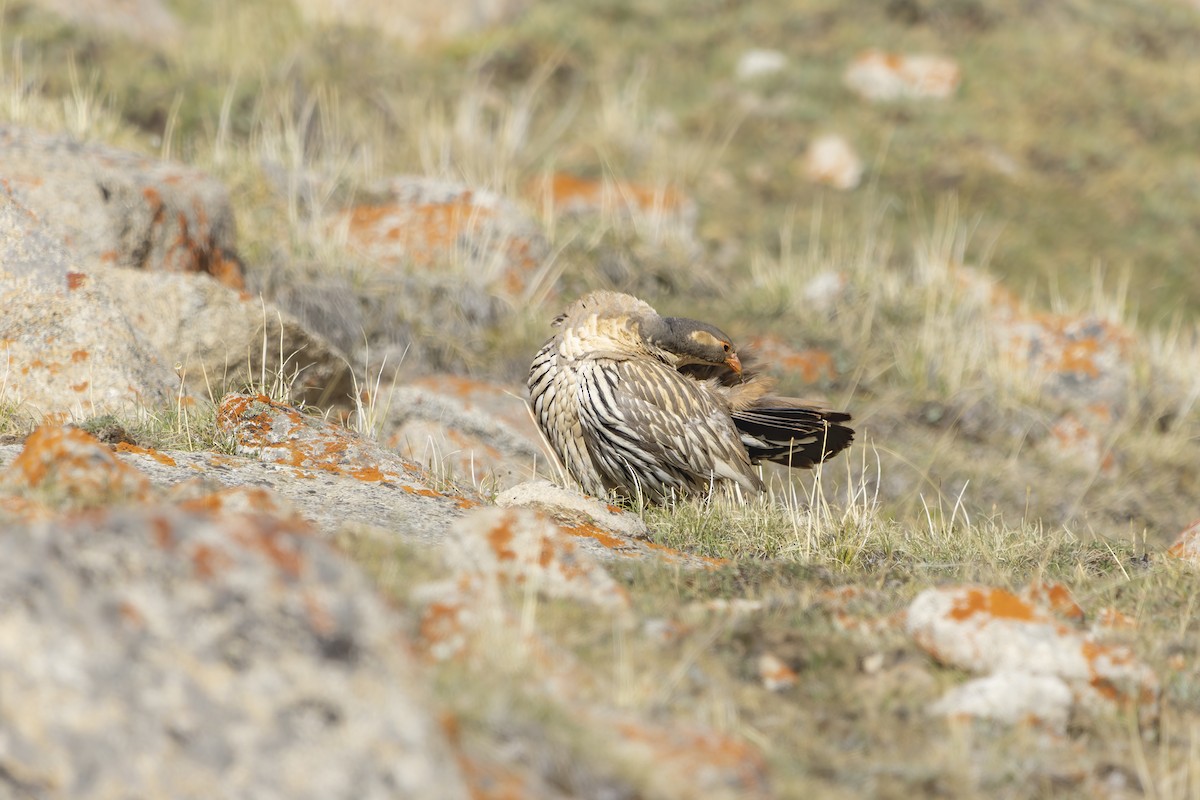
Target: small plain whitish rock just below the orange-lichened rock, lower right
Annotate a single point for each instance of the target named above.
(1011, 697)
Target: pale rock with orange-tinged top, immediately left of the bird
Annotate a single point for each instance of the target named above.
(478, 432)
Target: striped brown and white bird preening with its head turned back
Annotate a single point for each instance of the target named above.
(639, 405)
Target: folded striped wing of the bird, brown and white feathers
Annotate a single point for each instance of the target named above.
(645, 422)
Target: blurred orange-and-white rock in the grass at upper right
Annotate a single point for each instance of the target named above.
(879, 76)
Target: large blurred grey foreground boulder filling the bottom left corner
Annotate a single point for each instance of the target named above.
(212, 649)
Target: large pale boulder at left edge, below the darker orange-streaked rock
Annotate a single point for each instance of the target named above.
(80, 340)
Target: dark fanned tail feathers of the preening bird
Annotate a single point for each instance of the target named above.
(794, 437)
